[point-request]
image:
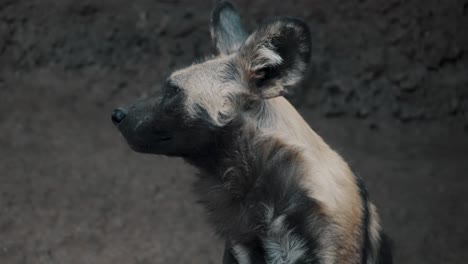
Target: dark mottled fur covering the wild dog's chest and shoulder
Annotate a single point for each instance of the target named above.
(250, 186)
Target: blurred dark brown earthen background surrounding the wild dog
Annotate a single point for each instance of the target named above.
(388, 89)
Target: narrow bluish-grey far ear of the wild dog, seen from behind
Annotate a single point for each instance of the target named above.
(227, 31)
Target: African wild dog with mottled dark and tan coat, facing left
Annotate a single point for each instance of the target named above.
(273, 189)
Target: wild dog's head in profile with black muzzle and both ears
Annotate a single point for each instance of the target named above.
(196, 102)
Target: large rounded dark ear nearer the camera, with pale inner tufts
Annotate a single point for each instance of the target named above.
(275, 56)
